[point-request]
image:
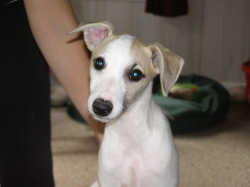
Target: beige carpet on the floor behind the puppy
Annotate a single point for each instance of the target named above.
(219, 157)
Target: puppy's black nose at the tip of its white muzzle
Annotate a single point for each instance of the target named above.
(102, 107)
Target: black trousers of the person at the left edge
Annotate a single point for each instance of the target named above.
(25, 150)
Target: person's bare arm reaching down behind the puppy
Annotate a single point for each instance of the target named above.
(50, 20)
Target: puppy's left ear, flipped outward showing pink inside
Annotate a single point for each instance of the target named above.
(94, 33)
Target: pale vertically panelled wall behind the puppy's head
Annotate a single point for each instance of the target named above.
(214, 38)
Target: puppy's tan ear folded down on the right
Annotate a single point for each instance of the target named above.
(167, 64)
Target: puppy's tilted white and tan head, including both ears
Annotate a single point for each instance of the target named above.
(121, 68)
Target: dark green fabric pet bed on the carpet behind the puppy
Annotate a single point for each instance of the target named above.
(211, 107)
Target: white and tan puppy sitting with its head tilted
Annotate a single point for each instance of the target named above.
(137, 148)
